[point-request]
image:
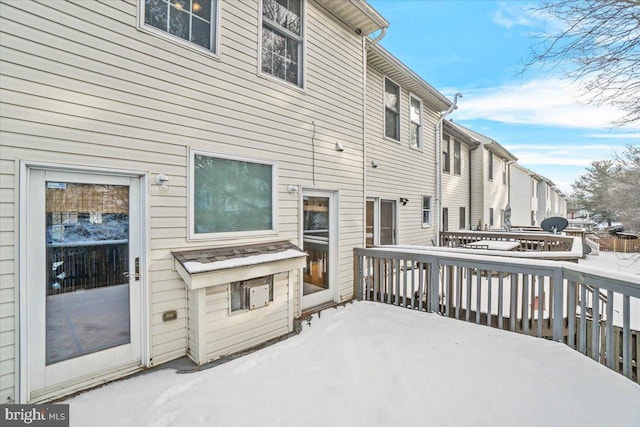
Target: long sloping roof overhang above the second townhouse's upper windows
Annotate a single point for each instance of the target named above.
(390, 66)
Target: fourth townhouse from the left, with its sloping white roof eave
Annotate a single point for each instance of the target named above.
(489, 182)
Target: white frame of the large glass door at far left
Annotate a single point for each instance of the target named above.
(24, 318)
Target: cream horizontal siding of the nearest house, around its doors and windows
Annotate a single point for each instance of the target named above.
(82, 85)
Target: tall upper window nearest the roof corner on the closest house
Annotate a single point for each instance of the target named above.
(282, 39)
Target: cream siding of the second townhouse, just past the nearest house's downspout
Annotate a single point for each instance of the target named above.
(402, 171)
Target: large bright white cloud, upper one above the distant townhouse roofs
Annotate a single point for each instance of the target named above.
(552, 102)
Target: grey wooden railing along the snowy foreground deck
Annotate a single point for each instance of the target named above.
(590, 312)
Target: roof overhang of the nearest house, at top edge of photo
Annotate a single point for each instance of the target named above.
(356, 14)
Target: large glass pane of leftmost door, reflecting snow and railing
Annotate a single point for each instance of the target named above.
(87, 260)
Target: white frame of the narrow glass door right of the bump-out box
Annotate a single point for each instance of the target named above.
(334, 223)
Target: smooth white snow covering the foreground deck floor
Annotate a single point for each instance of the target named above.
(370, 364)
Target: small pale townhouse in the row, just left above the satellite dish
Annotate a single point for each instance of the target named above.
(523, 193)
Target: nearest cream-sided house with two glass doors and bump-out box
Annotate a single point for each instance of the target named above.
(161, 164)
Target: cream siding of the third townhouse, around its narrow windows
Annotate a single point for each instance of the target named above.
(455, 188)
